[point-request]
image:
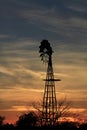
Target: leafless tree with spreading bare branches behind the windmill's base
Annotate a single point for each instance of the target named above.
(63, 109)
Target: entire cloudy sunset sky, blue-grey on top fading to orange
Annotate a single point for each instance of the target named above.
(23, 25)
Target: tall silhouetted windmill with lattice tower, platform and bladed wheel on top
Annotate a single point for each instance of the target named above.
(49, 109)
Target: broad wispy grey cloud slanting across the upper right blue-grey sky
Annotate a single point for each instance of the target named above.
(58, 27)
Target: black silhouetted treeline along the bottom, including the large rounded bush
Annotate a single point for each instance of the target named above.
(32, 121)
